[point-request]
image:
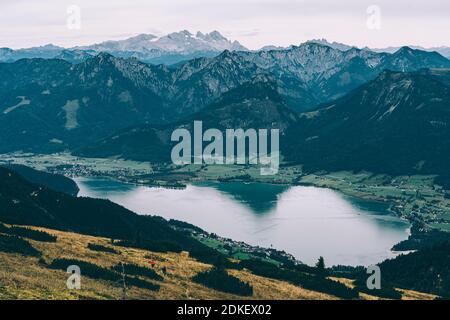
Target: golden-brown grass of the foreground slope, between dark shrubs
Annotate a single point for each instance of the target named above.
(24, 278)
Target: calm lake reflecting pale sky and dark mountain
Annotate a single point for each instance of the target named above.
(307, 222)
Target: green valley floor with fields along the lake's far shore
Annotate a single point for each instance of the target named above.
(417, 199)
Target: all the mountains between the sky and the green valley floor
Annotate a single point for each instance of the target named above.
(338, 108)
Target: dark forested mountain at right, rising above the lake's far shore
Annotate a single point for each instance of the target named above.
(398, 124)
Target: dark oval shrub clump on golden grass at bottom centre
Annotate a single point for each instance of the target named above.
(219, 279)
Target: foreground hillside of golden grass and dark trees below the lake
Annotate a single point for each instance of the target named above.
(44, 250)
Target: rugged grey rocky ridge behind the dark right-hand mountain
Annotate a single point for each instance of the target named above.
(313, 73)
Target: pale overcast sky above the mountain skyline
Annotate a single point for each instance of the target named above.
(254, 23)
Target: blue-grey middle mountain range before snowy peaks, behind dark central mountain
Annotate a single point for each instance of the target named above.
(52, 105)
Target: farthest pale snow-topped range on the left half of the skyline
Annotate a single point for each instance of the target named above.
(168, 49)
